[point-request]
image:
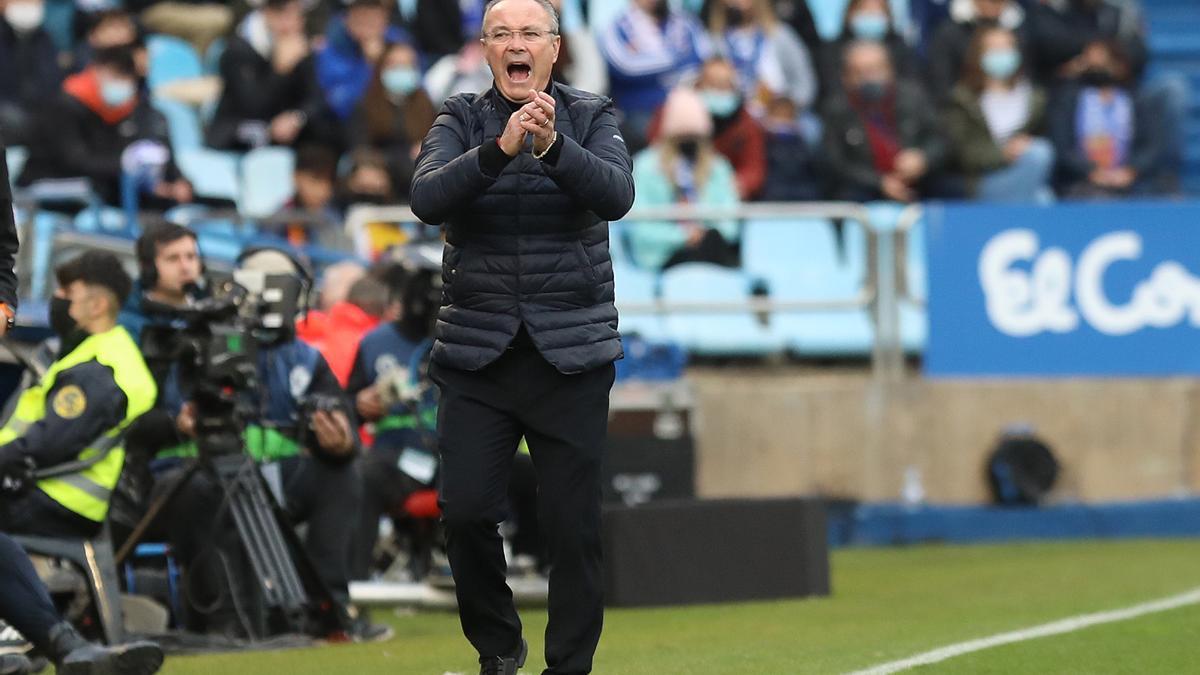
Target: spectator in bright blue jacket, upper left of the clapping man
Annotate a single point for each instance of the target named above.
(356, 45)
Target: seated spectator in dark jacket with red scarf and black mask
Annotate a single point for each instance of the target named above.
(881, 136)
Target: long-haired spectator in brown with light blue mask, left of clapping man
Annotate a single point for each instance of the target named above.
(395, 115)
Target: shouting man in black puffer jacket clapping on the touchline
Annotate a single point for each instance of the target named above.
(524, 178)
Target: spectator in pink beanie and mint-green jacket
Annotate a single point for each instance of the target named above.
(682, 168)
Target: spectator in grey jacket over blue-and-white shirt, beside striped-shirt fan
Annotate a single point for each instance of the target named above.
(770, 58)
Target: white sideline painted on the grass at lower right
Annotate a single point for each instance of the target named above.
(1069, 625)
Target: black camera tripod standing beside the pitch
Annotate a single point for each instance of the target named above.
(287, 582)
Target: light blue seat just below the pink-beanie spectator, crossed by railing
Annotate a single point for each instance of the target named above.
(716, 334)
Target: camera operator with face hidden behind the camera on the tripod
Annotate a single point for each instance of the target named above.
(305, 427)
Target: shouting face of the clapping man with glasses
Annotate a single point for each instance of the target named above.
(520, 49)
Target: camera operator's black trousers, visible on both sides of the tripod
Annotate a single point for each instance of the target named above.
(326, 497)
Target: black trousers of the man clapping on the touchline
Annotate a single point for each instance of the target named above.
(565, 419)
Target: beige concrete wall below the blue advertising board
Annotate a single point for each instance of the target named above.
(790, 432)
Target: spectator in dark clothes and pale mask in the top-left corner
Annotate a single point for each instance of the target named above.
(29, 70)
